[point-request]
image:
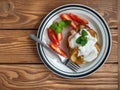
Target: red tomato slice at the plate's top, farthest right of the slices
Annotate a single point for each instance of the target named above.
(78, 19)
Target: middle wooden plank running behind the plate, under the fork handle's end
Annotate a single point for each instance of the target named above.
(17, 47)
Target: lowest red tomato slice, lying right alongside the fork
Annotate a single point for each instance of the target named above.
(58, 50)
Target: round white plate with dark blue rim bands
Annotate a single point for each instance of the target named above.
(96, 22)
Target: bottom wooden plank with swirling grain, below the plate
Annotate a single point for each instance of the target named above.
(29, 77)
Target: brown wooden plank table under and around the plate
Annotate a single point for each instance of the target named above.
(20, 65)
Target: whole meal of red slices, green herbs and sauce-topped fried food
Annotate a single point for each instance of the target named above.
(82, 41)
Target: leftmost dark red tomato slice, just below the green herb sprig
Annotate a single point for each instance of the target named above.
(52, 37)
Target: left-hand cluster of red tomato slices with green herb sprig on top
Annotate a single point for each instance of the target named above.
(55, 35)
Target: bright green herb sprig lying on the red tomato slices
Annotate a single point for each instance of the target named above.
(58, 27)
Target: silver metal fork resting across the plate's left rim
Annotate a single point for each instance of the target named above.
(66, 61)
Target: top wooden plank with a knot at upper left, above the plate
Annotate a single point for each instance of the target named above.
(24, 14)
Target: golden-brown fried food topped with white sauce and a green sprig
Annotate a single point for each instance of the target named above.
(83, 45)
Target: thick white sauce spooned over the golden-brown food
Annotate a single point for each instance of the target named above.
(89, 51)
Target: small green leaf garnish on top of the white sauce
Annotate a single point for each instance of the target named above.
(82, 40)
